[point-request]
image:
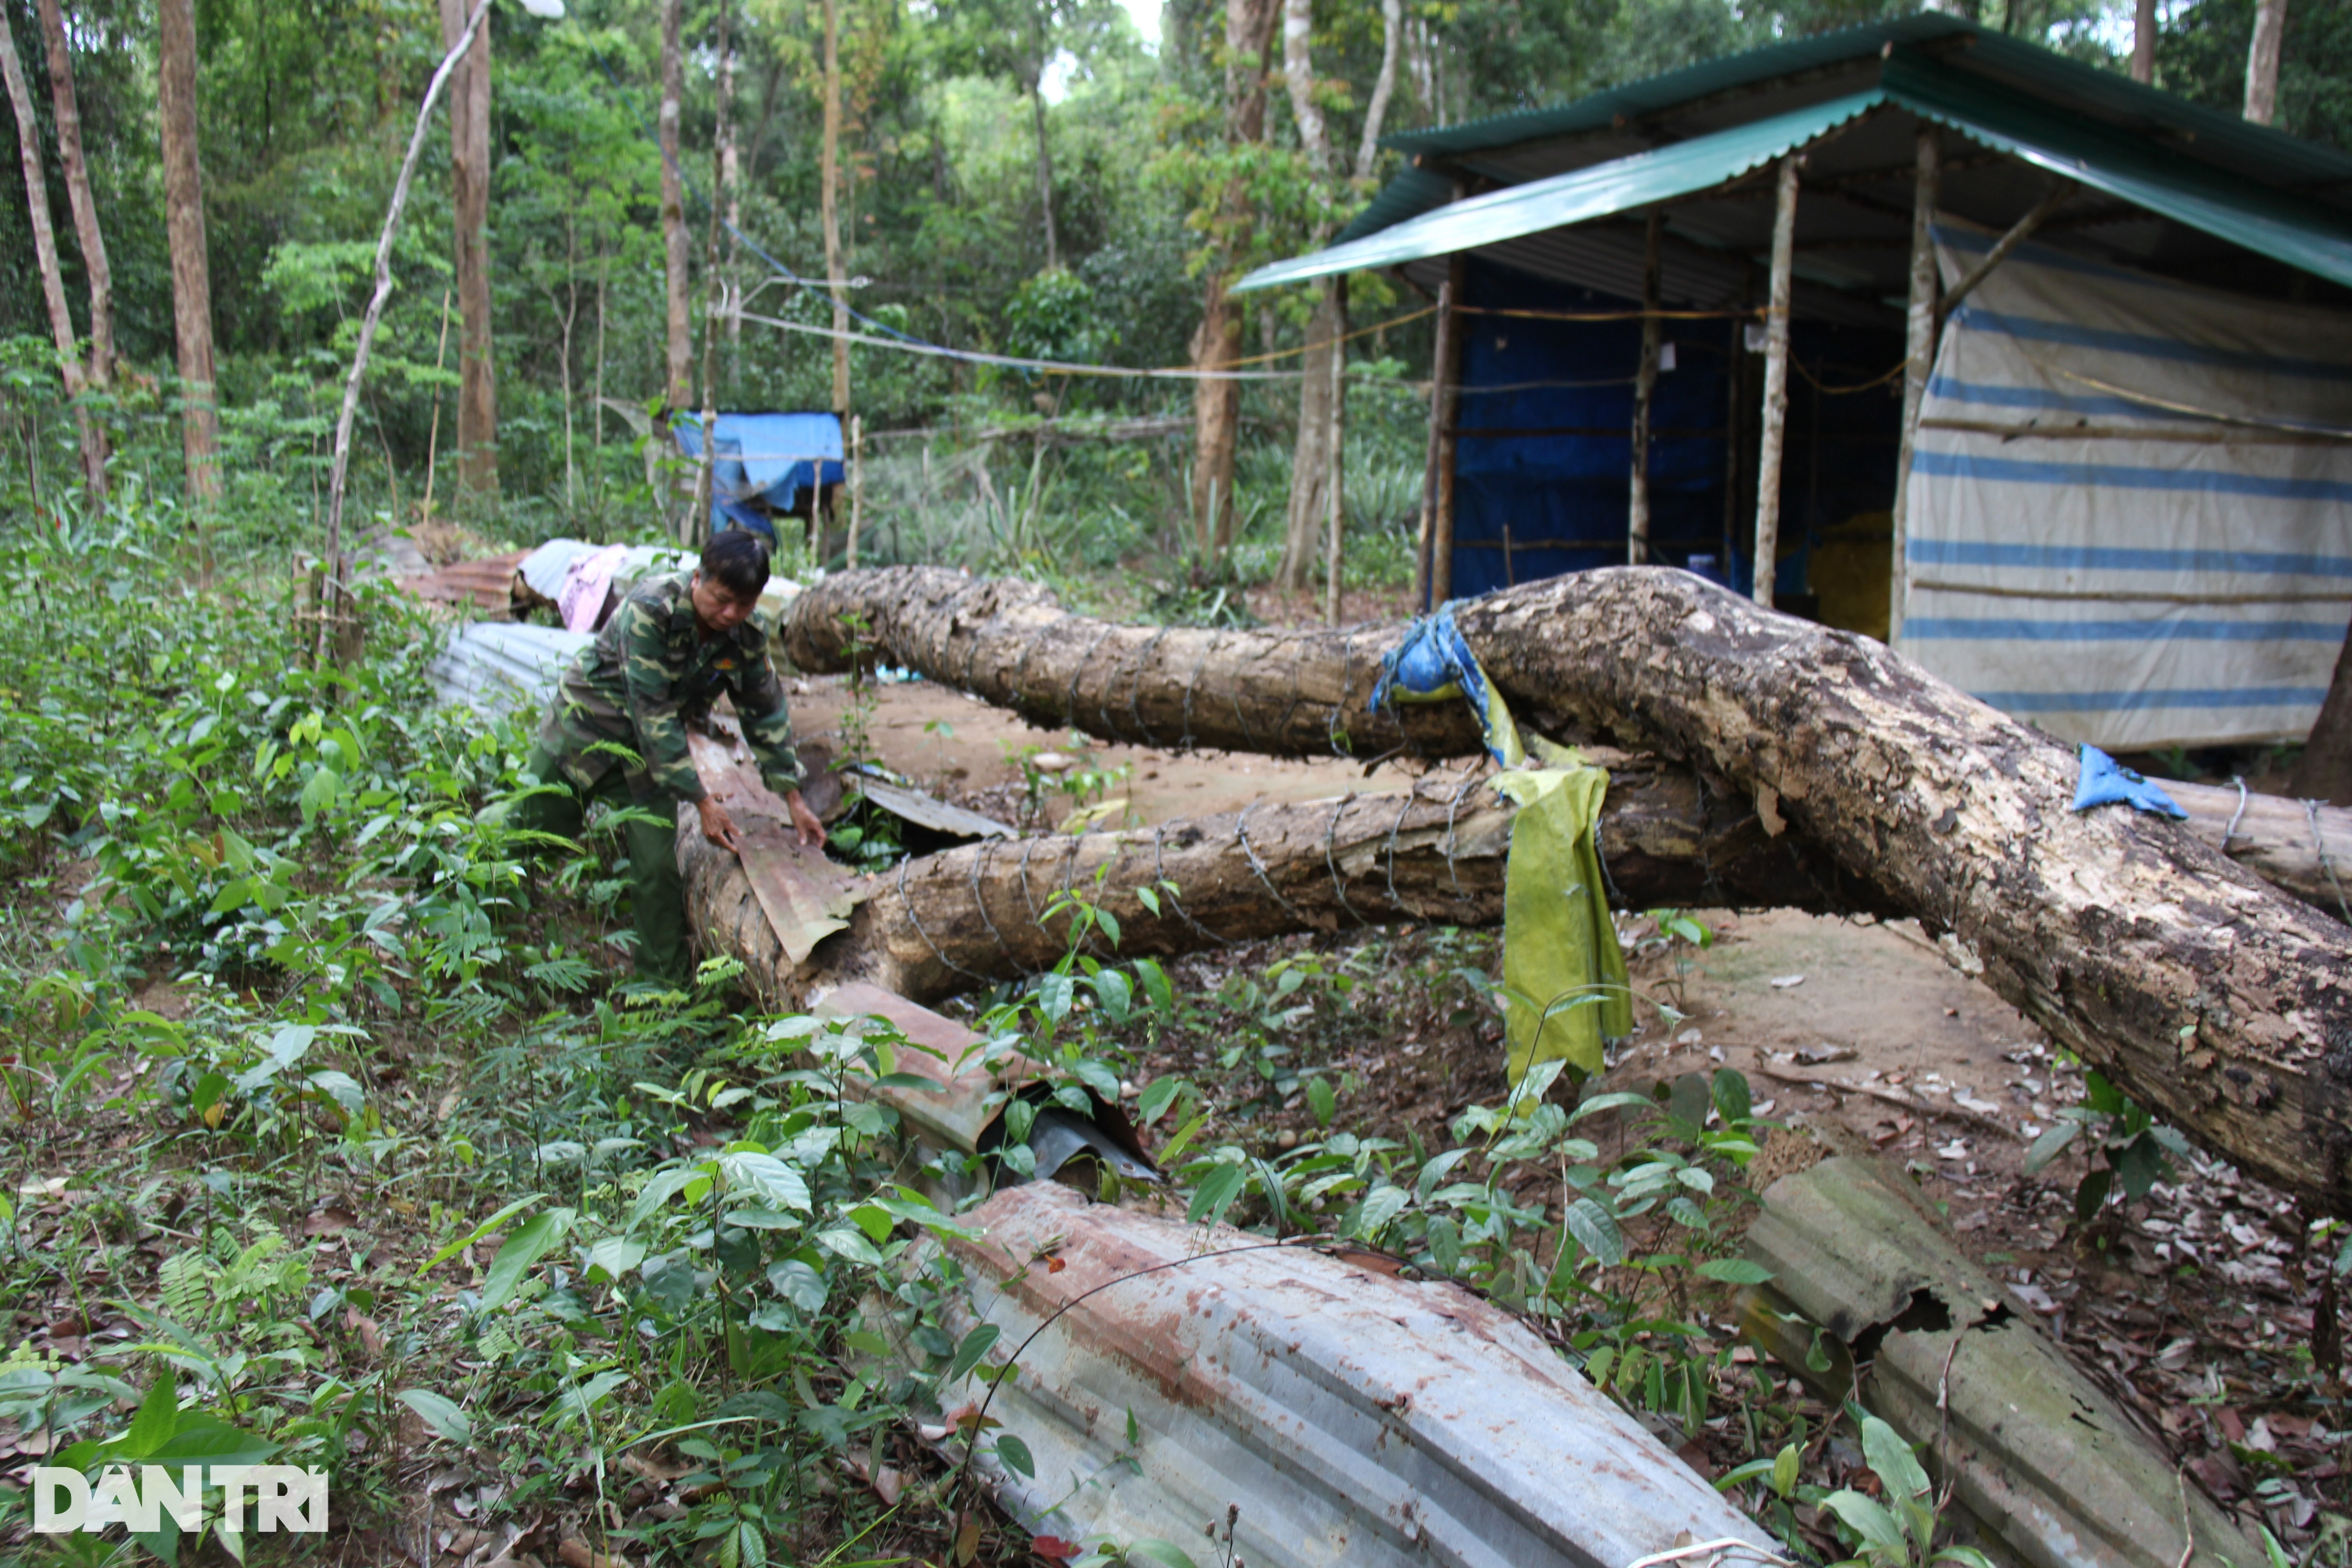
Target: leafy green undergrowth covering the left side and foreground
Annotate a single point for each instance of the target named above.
(335, 1141)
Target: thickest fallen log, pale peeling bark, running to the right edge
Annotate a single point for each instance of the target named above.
(2219, 1003)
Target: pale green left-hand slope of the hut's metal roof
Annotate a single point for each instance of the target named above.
(1608, 189)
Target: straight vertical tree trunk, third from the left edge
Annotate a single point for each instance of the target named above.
(185, 220)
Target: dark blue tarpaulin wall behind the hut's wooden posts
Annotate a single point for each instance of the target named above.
(1551, 488)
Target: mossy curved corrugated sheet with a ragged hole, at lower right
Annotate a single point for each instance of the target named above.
(2038, 1452)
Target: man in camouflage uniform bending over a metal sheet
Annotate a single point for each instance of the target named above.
(617, 730)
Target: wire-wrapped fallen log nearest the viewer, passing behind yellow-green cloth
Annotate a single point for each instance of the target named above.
(984, 913)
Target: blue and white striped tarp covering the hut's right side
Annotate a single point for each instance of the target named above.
(2132, 504)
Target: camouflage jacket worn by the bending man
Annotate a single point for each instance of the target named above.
(648, 678)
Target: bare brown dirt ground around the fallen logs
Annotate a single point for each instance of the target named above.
(2196, 1308)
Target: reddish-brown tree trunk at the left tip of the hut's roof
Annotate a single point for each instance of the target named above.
(1217, 403)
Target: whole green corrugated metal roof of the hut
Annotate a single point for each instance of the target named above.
(2007, 116)
